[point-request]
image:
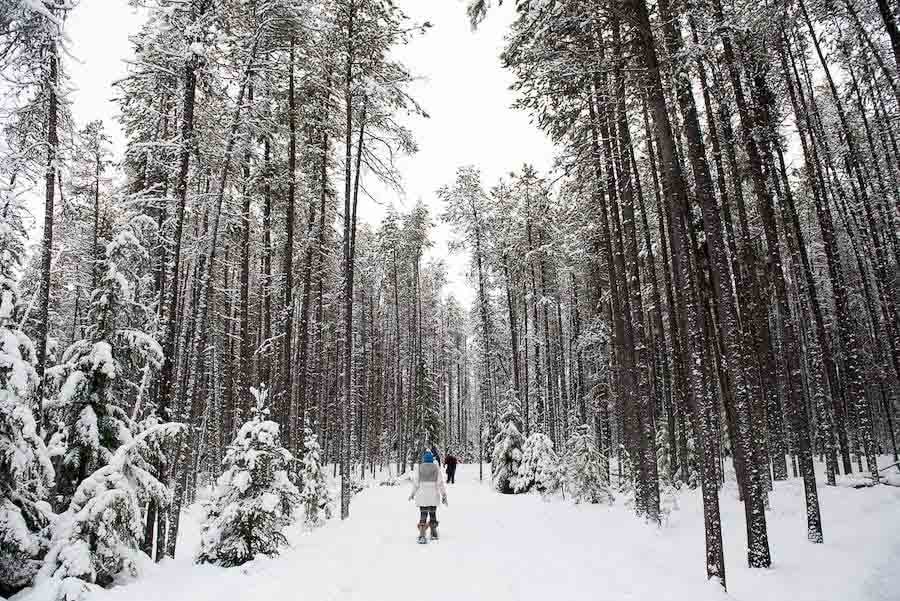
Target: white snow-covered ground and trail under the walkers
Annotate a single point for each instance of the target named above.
(522, 548)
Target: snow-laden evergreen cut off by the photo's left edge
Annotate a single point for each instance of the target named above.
(25, 468)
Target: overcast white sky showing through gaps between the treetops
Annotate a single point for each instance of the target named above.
(464, 90)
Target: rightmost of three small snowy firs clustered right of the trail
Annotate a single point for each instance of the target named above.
(584, 471)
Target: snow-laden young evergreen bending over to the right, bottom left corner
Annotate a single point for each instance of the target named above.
(96, 541)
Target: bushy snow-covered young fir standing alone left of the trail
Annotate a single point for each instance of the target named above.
(254, 499)
